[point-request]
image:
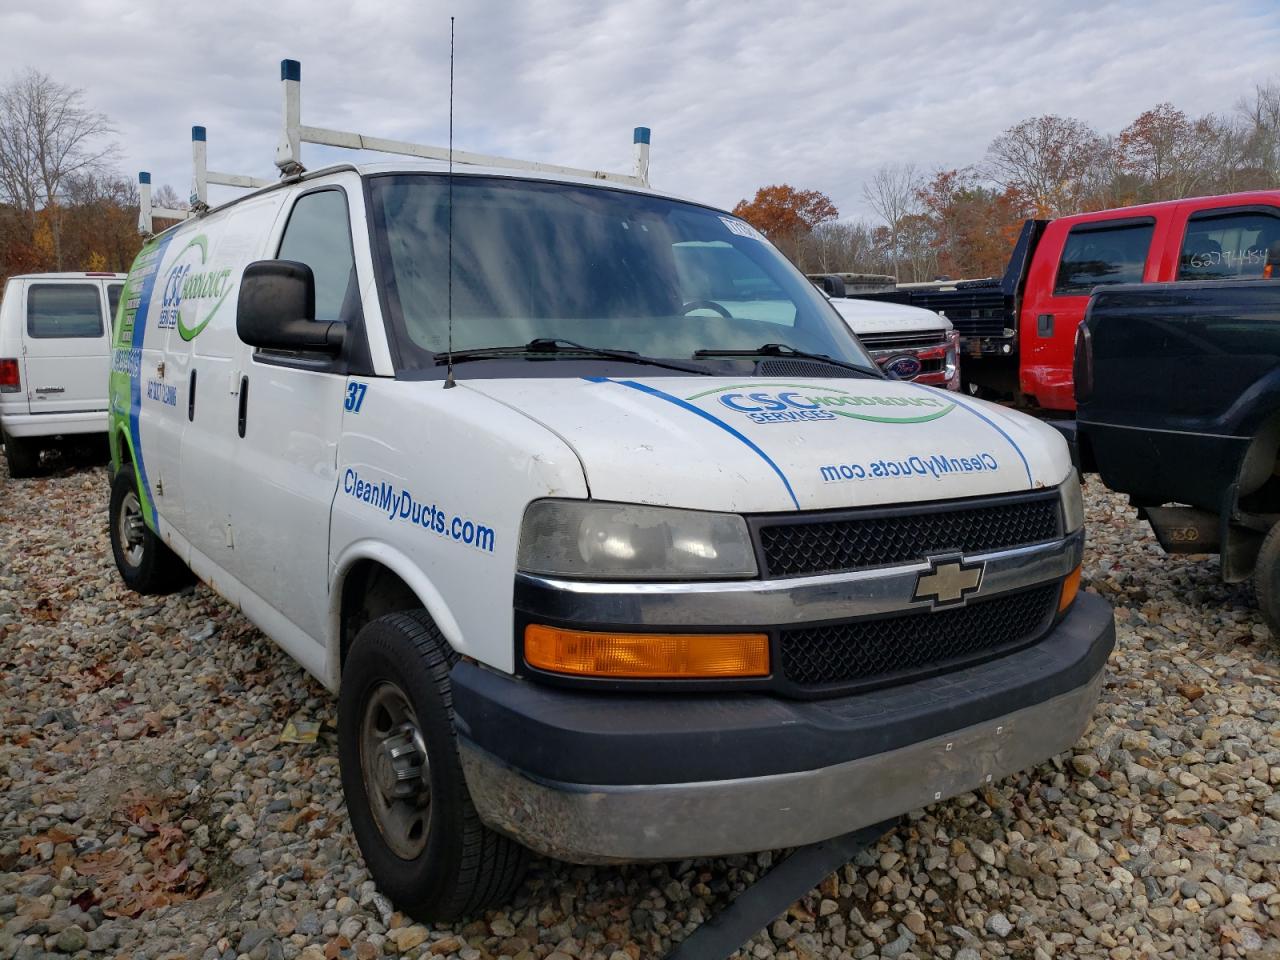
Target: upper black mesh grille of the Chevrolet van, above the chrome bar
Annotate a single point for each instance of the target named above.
(836, 542)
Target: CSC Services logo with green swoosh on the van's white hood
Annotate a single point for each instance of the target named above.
(811, 403)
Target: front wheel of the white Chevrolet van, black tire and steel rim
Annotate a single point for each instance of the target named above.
(406, 794)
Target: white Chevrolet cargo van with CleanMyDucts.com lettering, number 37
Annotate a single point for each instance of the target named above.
(611, 540)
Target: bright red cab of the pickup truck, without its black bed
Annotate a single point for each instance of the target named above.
(1204, 239)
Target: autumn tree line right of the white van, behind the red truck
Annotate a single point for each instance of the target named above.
(963, 222)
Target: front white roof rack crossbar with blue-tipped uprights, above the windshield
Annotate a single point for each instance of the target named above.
(294, 135)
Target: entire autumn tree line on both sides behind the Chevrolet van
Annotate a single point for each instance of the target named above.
(65, 207)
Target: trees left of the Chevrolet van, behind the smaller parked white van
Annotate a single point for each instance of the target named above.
(63, 205)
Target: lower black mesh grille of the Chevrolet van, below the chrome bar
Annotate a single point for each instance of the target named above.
(880, 652)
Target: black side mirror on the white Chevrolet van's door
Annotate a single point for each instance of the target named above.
(277, 309)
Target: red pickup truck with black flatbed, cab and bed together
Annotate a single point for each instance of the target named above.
(1018, 331)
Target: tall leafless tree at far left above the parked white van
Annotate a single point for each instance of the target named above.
(48, 136)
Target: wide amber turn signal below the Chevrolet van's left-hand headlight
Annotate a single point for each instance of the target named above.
(647, 656)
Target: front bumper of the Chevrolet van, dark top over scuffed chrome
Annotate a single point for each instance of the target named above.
(597, 778)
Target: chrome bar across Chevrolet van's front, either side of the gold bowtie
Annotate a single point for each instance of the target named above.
(860, 593)
